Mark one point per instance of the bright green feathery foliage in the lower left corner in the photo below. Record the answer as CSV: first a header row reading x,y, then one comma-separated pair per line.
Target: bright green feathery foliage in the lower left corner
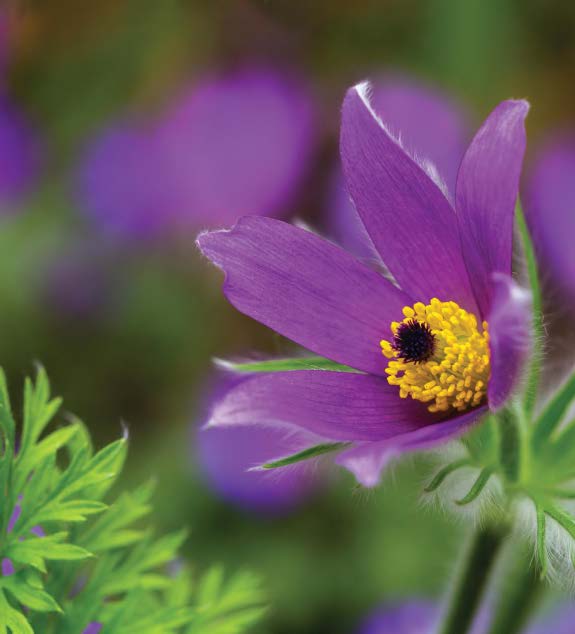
x,y
73,562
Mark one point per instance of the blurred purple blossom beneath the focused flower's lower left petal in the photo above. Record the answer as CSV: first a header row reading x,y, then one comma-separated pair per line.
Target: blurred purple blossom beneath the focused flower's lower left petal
x,y
225,457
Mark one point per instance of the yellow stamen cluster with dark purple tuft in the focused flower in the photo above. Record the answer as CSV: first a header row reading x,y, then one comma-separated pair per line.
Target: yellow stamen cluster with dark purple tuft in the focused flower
x,y
438,355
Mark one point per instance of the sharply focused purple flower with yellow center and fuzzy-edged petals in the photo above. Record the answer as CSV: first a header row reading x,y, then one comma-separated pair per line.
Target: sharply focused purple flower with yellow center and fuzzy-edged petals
x,y
434,349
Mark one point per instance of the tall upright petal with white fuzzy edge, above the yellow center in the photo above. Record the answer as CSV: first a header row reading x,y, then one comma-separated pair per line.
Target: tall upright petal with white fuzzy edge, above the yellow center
x,y
408,217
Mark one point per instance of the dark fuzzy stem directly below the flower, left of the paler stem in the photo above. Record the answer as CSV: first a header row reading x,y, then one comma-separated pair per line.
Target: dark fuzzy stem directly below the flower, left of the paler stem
x,y
471,580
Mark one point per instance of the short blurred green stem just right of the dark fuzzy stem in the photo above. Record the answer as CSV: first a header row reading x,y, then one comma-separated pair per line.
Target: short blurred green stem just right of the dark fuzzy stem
x,y
518,598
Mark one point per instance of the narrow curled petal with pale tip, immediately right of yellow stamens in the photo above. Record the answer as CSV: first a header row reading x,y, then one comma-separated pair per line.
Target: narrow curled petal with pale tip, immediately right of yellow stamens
x,y
509,338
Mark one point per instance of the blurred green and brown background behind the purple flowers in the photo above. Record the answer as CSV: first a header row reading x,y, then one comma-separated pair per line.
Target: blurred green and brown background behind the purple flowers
x,y
143,354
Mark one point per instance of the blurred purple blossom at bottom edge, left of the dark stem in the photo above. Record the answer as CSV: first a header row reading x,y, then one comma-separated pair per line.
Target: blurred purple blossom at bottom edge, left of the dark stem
x,y
413,617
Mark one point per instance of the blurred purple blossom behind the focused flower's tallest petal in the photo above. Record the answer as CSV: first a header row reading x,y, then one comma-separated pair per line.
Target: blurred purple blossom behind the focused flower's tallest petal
x,y
430,125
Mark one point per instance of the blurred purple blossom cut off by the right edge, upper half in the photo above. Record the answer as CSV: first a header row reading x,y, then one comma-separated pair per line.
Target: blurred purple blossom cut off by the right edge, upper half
x,y
550,202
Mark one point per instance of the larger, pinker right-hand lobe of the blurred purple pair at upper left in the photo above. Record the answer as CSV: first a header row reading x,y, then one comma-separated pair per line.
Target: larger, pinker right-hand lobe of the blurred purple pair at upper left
x,y
239,144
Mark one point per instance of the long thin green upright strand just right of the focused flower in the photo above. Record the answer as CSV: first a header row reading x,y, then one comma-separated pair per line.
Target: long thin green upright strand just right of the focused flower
x,y
533,275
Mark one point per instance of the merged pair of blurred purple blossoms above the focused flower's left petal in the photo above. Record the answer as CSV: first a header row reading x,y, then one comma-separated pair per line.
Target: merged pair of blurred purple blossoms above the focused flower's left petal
x,y
232,144
